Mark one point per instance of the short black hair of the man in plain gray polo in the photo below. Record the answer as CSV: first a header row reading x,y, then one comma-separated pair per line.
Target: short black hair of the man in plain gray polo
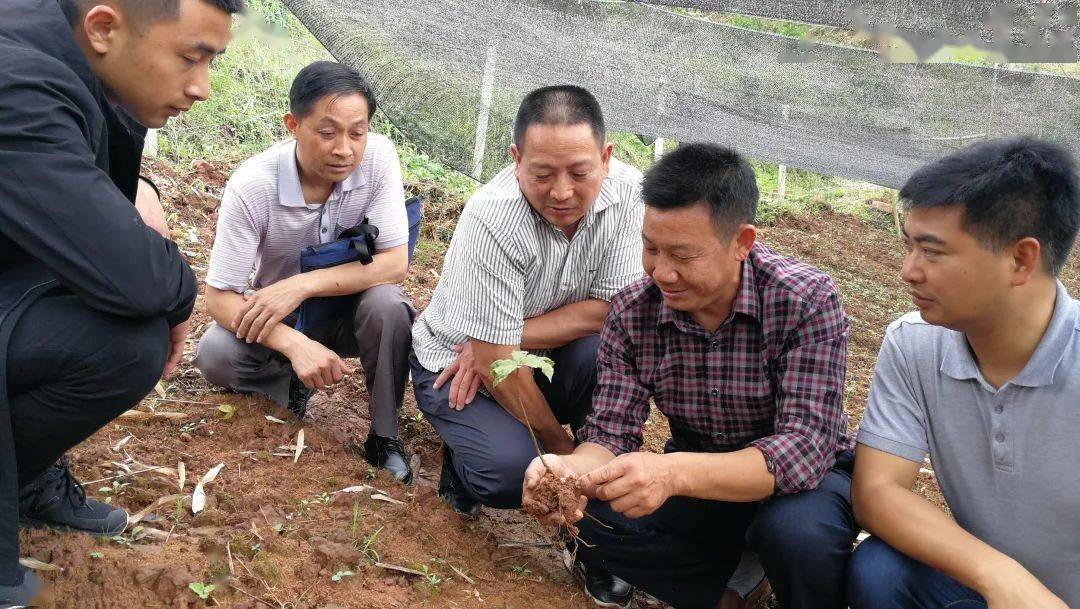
x,y
1009,190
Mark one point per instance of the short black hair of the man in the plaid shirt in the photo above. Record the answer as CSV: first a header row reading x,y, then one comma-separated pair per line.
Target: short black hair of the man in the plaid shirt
x,y
705,173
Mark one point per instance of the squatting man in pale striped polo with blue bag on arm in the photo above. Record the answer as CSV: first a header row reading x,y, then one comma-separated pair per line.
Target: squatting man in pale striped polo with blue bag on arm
x,y
307,192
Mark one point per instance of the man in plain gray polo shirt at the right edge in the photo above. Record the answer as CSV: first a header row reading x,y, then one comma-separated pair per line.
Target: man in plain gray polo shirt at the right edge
x,y
985,377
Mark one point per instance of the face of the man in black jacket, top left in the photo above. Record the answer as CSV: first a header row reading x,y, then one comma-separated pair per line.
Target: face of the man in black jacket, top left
x,y
158,71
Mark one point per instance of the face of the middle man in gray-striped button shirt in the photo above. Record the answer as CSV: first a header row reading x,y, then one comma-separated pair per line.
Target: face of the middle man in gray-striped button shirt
x,y
561,172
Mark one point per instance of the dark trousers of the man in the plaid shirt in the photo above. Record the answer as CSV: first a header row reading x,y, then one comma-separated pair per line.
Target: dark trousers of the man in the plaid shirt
x,y
685,553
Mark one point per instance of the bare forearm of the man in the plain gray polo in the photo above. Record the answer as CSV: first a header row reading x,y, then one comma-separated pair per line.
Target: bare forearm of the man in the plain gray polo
x,y
886,506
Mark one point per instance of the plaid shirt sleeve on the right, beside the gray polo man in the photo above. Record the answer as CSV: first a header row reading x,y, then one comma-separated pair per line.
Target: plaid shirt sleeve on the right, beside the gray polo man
x,y
809,419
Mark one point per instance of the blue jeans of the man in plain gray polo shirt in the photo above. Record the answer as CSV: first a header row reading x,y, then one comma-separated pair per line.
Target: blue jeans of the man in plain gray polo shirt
x,y
883,578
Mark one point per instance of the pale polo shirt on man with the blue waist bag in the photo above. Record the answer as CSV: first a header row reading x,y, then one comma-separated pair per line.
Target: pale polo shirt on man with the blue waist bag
x,y
265,222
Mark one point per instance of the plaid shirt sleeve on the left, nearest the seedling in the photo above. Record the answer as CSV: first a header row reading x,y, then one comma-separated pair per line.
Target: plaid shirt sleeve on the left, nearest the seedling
x,y
620,402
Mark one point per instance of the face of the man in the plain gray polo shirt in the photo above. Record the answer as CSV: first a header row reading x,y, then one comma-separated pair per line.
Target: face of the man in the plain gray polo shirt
x,y
954,280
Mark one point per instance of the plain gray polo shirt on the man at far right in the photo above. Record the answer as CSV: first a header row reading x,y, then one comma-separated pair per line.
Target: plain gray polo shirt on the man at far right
x,y
1008,459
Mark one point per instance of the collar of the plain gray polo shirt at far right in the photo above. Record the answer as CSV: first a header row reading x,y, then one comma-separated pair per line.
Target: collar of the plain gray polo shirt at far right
x,y
960,363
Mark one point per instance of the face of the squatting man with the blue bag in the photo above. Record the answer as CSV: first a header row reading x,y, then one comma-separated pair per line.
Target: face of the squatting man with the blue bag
x,y
331,139
